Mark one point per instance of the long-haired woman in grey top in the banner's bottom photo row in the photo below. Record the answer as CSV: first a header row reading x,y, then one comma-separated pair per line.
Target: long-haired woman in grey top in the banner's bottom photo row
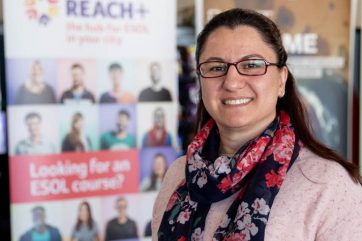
x,y
86,228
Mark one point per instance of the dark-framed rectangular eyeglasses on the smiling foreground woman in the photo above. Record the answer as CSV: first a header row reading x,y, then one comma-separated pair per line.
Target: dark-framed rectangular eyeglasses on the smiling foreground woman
x,y
249,67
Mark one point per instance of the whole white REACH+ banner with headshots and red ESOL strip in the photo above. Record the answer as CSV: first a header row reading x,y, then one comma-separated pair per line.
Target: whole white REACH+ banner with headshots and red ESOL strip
x,y
92,112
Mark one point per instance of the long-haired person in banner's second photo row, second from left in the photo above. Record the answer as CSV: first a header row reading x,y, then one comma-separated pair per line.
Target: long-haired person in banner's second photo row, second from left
x,y
76,140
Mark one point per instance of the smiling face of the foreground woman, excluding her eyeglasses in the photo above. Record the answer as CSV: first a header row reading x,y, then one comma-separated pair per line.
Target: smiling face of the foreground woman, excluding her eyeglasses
x,y
237,101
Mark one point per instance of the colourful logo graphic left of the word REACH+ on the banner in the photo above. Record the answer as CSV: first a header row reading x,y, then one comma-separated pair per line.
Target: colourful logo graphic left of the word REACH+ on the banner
x,y
41,11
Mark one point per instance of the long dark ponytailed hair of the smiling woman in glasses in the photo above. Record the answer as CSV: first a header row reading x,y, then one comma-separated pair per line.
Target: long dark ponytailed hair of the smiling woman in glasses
x,y
291,102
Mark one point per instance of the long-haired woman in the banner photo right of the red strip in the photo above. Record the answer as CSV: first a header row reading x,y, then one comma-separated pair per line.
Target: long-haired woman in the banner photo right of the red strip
x,y
159,167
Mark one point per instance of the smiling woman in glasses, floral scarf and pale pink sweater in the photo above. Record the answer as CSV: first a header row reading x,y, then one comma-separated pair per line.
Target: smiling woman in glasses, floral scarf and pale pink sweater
x,y
254,171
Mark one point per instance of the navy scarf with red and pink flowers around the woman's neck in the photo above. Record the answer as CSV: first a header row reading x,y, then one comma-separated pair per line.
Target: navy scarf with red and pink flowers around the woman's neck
x,y
257,170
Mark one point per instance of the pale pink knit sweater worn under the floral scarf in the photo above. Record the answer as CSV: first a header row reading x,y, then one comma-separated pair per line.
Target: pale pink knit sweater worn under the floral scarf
x,y
318,201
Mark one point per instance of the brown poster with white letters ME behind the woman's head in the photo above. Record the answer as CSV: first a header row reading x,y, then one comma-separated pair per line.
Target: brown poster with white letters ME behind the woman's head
x,y
318,59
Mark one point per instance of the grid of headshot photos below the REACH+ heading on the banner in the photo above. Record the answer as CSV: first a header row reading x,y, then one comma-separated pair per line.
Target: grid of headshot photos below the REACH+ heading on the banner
x,y
67,109
